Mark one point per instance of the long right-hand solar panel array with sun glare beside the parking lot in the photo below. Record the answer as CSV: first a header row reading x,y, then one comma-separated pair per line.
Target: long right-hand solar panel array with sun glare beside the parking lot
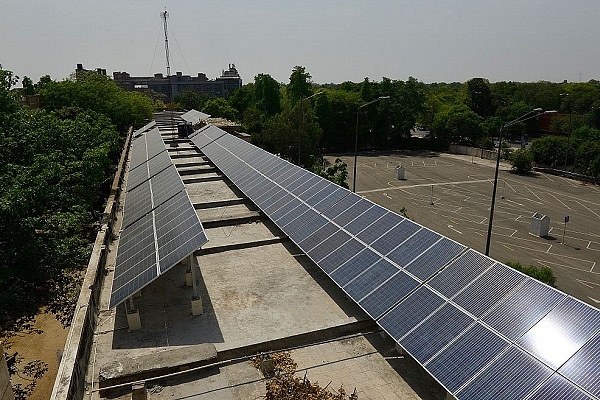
x,y
481,329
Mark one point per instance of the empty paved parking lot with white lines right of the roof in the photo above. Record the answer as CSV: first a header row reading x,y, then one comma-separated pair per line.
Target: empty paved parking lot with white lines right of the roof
x,y
451,194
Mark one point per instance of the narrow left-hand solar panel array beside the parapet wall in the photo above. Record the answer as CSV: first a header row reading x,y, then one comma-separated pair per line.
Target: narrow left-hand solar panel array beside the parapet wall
x,y
160,225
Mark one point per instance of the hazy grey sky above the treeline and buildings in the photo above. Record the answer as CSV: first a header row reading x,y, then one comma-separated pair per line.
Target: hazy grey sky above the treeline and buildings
x,y
336,40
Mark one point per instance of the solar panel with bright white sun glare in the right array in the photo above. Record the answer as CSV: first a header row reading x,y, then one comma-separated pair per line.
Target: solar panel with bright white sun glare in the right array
x,y
562,332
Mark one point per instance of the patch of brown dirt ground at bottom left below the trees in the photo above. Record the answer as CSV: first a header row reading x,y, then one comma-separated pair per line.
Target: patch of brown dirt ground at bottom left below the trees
x,y
42,347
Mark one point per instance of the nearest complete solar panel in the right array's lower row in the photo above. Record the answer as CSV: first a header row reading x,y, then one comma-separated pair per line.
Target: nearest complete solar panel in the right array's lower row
x,y
468,354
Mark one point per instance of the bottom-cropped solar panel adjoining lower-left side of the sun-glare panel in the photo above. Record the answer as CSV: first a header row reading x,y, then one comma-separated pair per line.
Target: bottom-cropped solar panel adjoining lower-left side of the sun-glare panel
x,y
509,377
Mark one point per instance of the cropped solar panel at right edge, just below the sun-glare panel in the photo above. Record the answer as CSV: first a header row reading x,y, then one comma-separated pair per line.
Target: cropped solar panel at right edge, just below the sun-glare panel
x,y
584,367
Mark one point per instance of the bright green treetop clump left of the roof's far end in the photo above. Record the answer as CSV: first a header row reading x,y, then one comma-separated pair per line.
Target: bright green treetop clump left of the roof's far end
x,y
99,93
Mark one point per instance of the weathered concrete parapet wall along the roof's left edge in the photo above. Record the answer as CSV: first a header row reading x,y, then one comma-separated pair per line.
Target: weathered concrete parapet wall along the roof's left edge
x,y
70,381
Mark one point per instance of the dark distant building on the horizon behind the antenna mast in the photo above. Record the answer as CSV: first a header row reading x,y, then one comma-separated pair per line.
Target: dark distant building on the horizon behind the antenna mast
x,y
222,86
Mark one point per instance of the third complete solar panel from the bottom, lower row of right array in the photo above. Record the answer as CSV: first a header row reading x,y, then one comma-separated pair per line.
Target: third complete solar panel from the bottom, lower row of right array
x,y
410,312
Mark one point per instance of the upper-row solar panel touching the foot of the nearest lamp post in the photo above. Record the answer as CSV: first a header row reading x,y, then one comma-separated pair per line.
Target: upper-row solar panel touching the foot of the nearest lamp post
x,y
459,273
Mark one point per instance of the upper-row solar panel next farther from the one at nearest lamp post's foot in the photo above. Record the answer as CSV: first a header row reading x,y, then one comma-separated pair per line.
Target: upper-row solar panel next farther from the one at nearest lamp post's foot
x,y
434,259
